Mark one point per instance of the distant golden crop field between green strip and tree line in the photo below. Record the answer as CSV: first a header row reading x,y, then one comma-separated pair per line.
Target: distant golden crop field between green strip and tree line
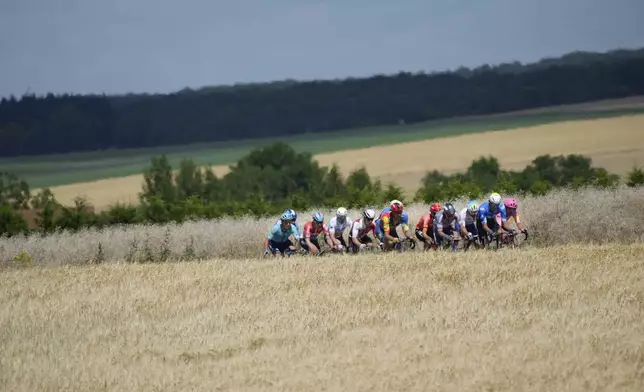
x,y
616,144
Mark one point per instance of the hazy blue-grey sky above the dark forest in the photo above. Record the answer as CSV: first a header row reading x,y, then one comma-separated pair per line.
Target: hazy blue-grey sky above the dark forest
x,y
119,46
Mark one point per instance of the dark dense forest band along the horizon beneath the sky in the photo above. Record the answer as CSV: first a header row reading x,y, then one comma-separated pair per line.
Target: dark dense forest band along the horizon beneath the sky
x,y
70,123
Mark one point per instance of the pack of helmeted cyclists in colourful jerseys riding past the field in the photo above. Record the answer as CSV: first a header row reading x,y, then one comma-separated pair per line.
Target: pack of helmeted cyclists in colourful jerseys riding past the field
x,y
441,226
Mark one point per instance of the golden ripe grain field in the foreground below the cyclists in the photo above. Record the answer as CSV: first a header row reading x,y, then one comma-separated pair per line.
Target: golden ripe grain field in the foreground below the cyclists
x,y
562,318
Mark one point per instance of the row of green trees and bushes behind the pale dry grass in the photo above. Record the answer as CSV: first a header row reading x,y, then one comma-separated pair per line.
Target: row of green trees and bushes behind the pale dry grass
x,y
270,179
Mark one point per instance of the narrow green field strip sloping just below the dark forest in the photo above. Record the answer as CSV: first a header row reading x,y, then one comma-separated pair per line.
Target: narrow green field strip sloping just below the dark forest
x,y
52,170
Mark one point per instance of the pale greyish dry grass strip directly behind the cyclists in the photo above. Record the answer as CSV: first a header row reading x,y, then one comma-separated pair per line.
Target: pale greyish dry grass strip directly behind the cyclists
x,y
562,217
